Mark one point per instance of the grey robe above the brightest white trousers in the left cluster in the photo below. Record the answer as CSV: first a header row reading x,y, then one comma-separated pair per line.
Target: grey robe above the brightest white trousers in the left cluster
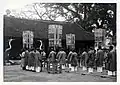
x,y
38,59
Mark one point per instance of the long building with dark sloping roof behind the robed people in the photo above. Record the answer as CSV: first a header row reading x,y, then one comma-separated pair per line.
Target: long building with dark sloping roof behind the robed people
x,y
43,30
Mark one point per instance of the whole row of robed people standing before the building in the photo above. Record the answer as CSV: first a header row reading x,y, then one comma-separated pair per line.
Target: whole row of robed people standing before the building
x,y
88,59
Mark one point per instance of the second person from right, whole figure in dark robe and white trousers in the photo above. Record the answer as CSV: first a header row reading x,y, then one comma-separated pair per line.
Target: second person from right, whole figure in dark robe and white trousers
x,y
99,59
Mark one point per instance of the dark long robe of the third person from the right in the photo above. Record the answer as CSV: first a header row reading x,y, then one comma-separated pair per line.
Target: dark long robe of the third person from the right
x,y
91,58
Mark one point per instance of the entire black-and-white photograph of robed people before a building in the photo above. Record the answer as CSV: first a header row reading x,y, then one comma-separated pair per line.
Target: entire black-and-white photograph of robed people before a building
x,y
59,42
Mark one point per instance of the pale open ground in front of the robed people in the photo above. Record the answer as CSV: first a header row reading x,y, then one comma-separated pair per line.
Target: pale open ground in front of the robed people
x,y
15,74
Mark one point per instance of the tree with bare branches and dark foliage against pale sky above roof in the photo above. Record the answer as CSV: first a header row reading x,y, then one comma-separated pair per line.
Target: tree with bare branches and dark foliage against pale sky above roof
x,y
86,15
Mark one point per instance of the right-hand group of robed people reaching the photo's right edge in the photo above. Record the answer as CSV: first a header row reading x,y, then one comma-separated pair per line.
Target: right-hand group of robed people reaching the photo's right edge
x,y
99,60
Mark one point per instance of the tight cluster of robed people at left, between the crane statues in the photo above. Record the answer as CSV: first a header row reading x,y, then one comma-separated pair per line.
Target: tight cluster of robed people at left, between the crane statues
x,y
32,59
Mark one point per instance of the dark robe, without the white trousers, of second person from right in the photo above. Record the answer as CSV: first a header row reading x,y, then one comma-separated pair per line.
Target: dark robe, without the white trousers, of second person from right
x,y
99,58
